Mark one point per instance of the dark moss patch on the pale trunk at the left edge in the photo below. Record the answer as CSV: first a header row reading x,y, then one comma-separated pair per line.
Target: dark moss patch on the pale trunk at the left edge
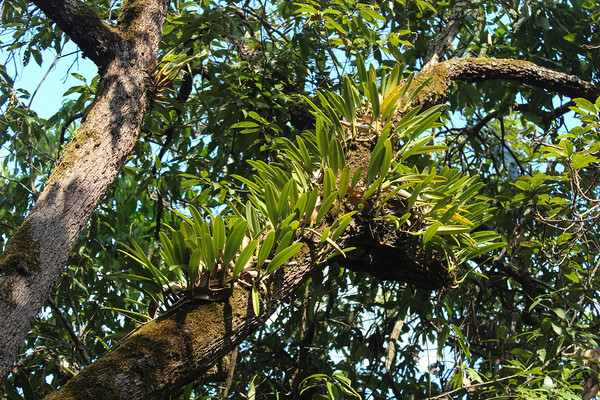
x,y
22,254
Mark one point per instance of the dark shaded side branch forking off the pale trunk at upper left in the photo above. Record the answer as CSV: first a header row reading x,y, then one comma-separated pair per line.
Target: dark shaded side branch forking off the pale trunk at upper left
x,y
83,25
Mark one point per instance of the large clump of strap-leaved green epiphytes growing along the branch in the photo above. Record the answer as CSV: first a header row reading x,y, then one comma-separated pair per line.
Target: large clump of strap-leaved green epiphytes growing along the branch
x,y
365,150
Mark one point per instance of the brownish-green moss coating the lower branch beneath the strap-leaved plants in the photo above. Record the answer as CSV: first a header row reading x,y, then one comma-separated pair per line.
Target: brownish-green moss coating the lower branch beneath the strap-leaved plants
x,y
178,337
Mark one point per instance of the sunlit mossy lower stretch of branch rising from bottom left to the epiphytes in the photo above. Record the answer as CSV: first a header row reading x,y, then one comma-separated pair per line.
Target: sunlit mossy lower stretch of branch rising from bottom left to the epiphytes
x,y
174,350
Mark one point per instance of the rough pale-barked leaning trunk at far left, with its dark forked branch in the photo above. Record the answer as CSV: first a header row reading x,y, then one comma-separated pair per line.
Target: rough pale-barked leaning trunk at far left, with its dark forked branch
x,y
126,56
